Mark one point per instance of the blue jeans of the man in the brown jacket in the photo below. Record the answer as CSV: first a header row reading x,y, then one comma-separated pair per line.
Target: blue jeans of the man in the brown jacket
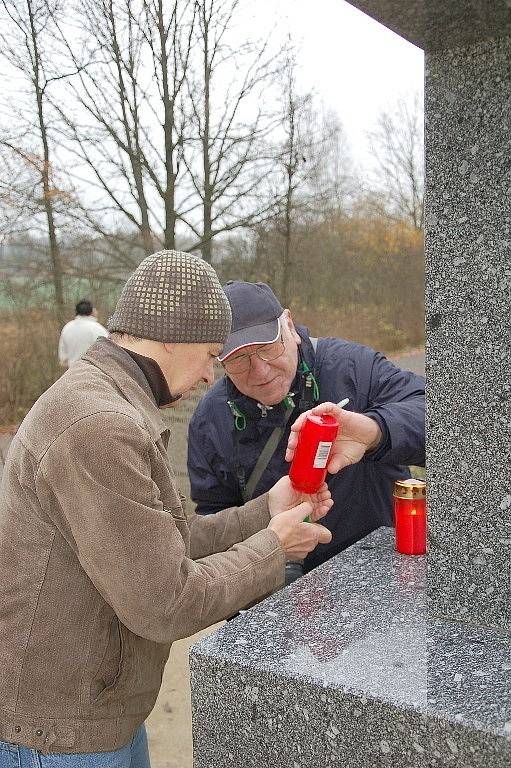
x,y
134,755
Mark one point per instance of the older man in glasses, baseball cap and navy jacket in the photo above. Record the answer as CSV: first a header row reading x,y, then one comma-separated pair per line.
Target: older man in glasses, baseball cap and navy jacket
x,y
274,372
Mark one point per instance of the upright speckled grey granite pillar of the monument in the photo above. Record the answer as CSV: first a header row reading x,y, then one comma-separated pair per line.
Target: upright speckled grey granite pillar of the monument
x,y
468,322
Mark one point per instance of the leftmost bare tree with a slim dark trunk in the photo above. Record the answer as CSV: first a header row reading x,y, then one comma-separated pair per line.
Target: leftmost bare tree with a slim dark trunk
x,y
25,45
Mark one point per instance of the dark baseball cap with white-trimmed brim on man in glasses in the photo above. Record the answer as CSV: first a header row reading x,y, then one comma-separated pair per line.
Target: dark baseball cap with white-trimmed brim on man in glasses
x,y
255,316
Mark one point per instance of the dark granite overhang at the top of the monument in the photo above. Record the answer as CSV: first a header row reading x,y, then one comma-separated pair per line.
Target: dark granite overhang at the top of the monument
x,y
441,23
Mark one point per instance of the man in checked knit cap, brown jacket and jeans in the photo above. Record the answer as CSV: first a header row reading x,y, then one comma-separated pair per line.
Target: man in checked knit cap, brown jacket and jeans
x,y
101,569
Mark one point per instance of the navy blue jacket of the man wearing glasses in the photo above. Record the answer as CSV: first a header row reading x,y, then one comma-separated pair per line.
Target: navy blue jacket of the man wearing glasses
x,y
362,492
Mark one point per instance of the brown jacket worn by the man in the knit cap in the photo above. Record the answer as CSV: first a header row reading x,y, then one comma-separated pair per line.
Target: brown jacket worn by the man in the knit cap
x,y
100,570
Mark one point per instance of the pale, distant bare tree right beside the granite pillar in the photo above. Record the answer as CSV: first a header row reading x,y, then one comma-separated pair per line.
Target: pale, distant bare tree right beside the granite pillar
x,y
397,144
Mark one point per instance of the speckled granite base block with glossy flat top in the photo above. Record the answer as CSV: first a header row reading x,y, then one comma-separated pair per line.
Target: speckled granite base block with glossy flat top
x,y
344,668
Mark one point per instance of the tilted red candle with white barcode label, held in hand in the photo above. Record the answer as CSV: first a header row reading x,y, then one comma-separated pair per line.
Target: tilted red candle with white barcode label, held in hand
x,y
315,440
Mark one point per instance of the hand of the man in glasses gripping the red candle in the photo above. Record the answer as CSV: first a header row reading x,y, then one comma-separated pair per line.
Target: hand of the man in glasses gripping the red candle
x,y
357,435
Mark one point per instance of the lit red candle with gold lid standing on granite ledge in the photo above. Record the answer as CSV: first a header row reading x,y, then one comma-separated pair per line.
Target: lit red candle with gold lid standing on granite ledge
x,y
410,516
